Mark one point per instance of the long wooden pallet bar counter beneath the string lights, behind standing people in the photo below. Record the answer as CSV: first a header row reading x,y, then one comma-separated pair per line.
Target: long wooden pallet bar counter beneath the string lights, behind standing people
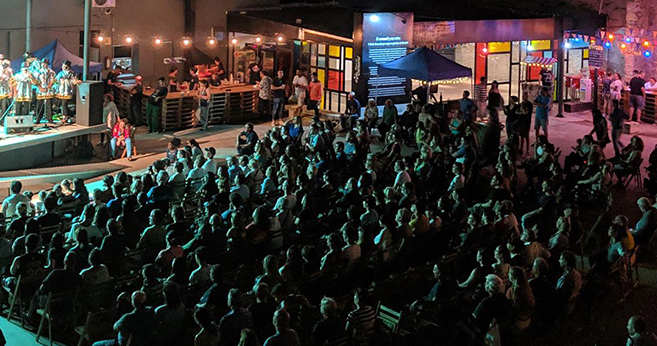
x,y
229,104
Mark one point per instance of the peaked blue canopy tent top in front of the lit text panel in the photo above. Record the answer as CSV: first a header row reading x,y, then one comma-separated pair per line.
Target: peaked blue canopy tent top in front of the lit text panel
x,y
425,65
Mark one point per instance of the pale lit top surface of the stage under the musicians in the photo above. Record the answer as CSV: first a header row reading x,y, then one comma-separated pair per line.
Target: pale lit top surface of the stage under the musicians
x,y
13,141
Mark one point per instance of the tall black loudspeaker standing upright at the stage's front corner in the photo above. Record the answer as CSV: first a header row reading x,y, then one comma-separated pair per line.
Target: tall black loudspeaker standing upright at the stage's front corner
x,y
89,104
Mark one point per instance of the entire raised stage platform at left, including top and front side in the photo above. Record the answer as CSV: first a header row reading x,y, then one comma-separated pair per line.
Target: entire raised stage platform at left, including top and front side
x,y
31,150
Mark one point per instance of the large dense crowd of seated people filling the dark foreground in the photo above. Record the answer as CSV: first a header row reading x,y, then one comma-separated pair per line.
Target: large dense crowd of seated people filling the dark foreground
x,y
303,239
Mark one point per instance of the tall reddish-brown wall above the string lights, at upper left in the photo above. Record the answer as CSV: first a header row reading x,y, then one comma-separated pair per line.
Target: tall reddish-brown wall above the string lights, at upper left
x,y
143,19
